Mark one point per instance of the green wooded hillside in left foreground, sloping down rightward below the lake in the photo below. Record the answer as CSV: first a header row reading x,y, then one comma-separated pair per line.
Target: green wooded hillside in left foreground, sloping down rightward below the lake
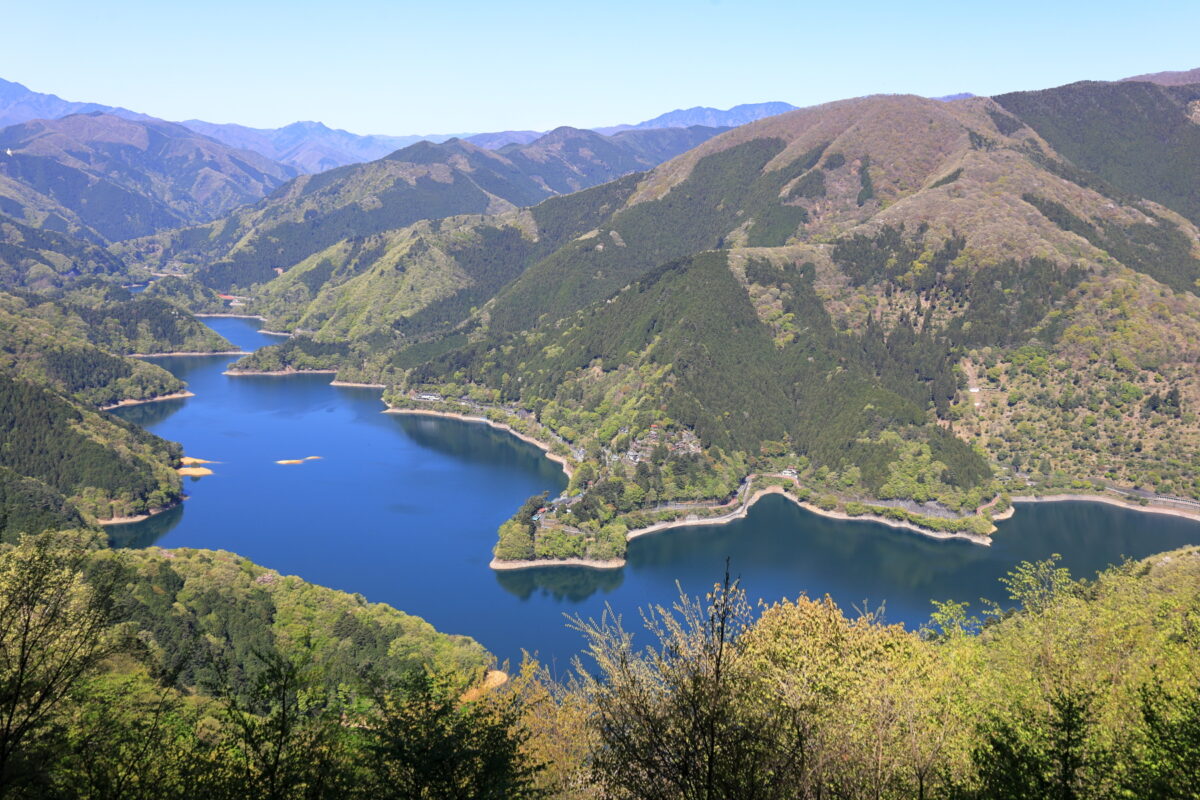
x,y
200,675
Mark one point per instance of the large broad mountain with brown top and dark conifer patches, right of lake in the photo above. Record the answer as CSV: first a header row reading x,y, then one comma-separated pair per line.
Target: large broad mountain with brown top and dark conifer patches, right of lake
x,y
875,262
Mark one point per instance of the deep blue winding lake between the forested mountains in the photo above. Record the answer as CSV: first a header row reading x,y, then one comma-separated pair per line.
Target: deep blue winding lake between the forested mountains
x,y
405,510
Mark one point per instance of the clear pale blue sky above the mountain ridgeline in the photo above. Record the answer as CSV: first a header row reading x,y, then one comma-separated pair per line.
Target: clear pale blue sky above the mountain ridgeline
x,y
377,67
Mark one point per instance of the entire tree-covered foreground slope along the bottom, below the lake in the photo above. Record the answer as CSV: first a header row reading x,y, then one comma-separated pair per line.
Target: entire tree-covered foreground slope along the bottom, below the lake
x,y
206,676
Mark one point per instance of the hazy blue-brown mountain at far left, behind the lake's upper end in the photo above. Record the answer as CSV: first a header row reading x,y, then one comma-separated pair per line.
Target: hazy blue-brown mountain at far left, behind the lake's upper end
x,y
106,178
